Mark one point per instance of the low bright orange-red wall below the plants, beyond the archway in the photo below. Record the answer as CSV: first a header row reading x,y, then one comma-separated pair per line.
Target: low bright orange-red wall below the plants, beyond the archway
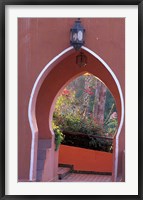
x,y
85,159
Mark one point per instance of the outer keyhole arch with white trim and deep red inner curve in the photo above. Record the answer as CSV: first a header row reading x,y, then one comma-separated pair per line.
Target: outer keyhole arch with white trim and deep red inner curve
x,y
50,81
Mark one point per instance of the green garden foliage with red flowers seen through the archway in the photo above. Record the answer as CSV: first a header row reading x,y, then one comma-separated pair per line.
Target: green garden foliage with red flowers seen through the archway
x,y
69,117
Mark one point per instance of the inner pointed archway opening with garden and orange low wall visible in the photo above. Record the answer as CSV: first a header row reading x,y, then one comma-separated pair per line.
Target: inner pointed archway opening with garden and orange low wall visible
x,y
85,122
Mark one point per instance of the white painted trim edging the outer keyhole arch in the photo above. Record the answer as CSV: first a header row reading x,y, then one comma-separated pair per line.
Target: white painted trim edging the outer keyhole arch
x,y
32,104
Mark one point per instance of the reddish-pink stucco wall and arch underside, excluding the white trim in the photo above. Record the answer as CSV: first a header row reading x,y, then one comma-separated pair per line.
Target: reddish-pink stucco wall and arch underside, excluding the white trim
x,y
40,40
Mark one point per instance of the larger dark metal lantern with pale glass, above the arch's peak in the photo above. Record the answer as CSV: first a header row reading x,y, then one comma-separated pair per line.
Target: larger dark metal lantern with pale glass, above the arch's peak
x,y
77,35
